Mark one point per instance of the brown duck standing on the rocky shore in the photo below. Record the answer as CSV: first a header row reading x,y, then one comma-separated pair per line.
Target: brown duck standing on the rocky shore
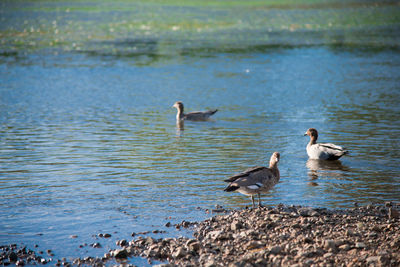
x,y
256,180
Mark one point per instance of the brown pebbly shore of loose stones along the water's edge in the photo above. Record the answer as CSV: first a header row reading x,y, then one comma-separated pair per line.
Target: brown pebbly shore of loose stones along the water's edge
x,y
280,236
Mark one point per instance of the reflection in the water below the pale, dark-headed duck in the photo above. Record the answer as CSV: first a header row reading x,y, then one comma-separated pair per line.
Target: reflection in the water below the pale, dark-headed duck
x,y
330,169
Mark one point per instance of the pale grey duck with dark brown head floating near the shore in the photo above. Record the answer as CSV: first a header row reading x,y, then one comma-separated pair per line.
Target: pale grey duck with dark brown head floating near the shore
x,y
322,151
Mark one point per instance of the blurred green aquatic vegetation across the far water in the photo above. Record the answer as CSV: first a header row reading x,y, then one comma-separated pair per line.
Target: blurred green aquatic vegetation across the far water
x,y
108,26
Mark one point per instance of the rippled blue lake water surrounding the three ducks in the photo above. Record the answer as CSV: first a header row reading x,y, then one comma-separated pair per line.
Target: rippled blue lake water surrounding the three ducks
x,y
89,143
